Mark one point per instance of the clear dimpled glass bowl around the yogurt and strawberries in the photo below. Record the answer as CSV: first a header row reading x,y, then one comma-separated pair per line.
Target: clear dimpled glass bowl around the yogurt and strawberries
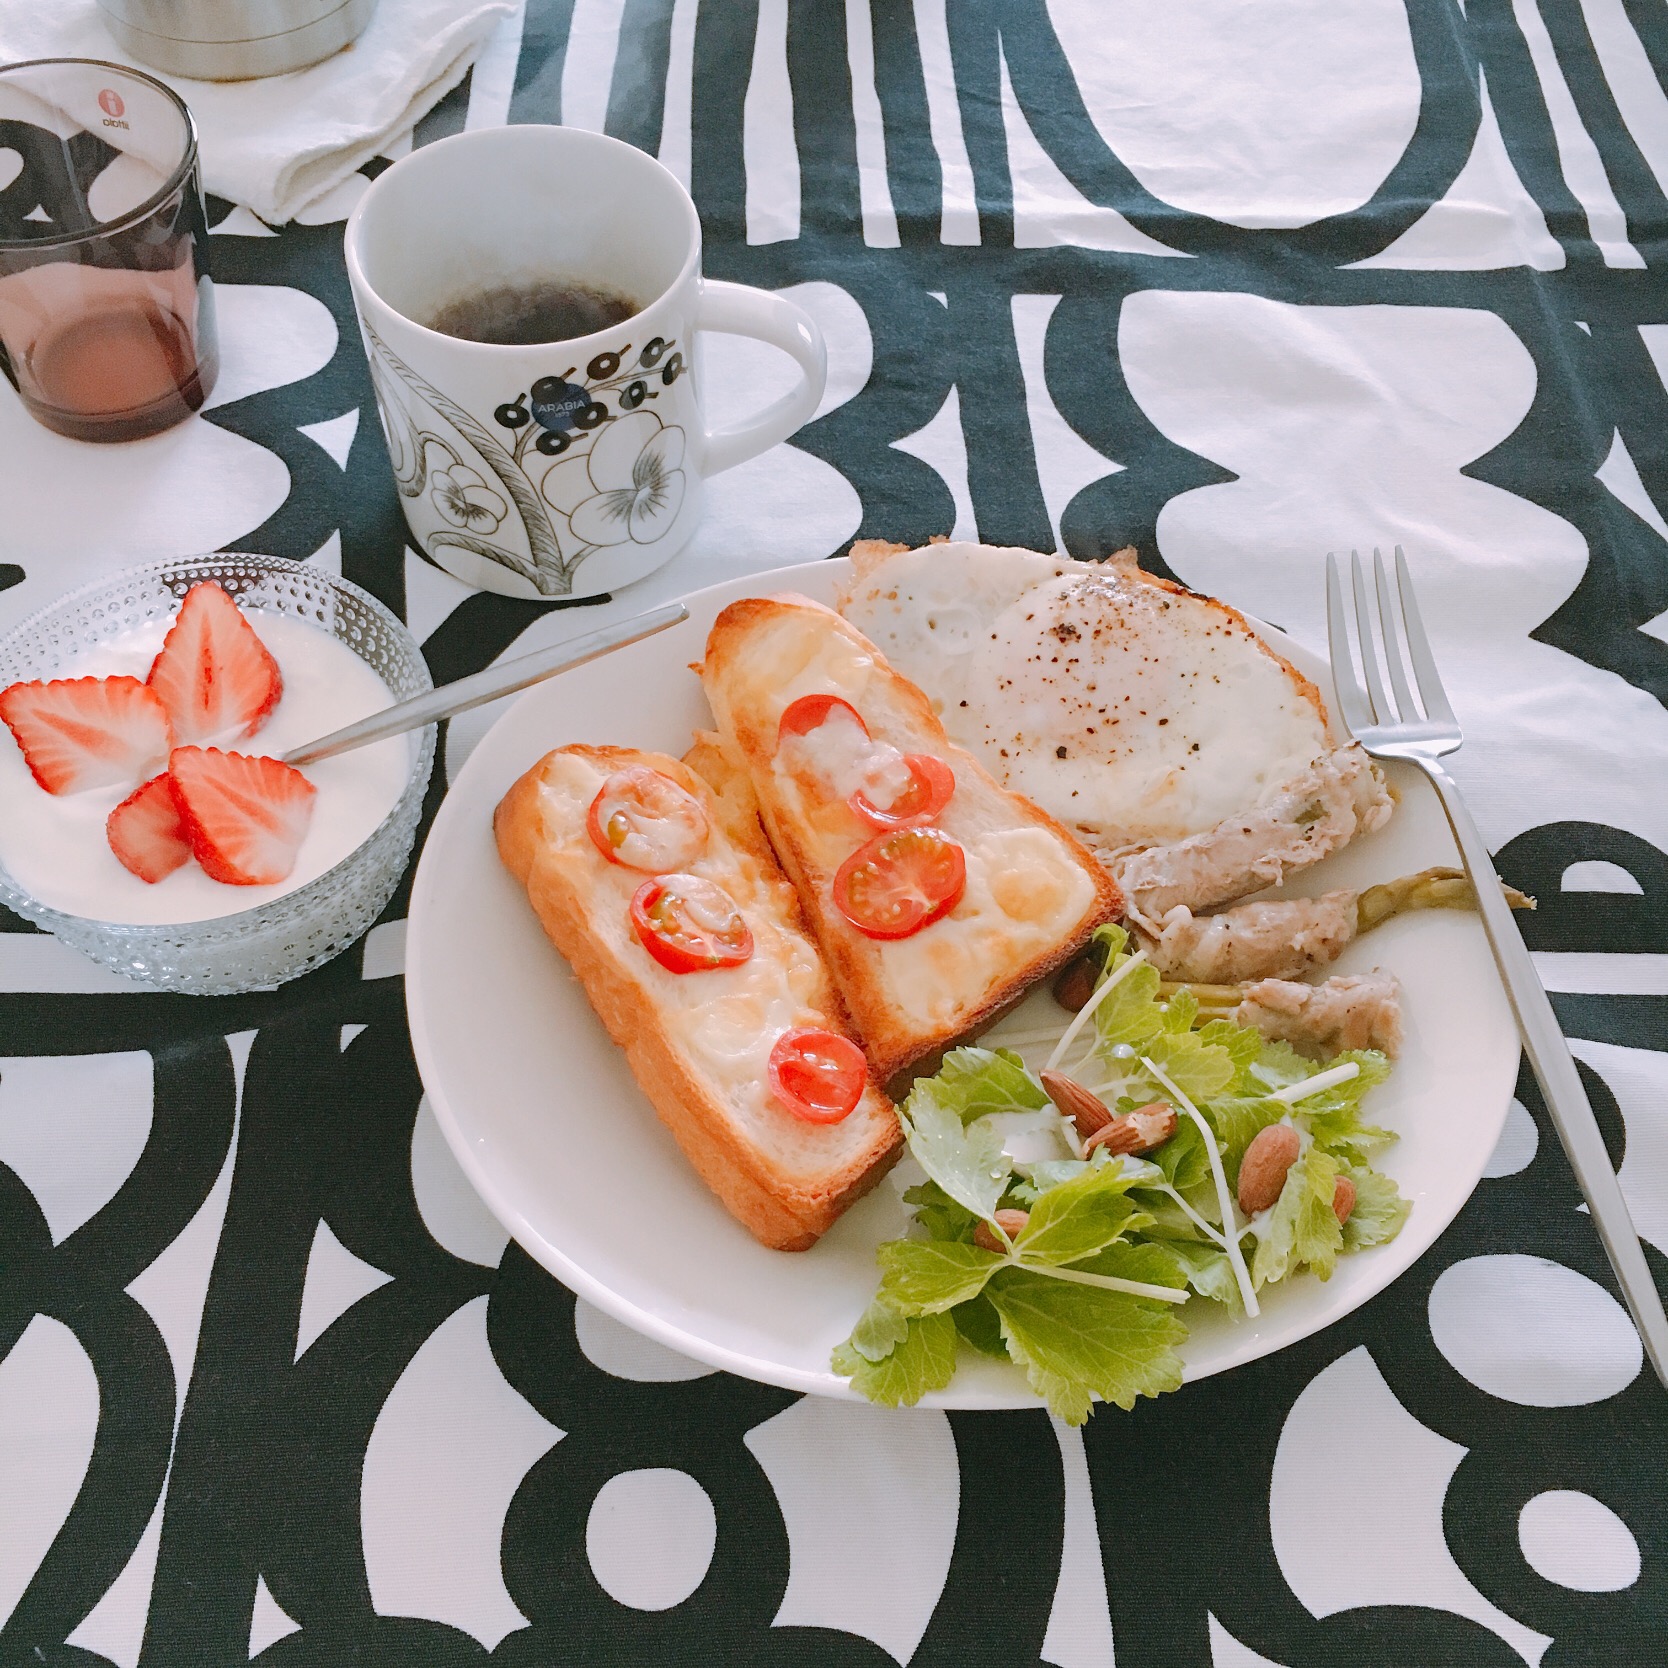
x,y
251,950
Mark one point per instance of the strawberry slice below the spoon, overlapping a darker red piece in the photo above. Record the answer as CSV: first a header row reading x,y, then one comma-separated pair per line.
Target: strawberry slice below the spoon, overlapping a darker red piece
x,y
244,815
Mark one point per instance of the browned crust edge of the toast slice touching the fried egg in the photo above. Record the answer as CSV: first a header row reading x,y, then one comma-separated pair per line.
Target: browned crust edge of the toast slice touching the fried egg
x,y
892,1038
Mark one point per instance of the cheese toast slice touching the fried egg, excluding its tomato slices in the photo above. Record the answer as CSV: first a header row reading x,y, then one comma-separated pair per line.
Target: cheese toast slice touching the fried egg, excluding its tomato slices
x,y
1033,893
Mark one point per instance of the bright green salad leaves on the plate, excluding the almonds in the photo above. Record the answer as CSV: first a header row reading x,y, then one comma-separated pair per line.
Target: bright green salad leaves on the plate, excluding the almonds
x,y
1060,1302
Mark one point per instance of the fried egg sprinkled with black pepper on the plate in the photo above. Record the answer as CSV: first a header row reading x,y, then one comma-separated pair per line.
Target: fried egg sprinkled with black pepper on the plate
x,y
1133,711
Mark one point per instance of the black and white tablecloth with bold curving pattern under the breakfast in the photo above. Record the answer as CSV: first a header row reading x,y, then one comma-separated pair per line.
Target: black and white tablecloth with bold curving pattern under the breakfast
x,y
1237,283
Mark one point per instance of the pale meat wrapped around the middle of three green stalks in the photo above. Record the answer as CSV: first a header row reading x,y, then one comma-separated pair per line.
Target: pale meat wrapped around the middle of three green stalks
x,y
1274,940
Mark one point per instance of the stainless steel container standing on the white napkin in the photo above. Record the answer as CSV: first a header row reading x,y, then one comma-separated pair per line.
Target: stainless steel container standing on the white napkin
x,y
234,41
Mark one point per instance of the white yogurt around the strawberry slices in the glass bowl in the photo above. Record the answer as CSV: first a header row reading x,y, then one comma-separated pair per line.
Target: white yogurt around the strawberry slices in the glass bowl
x,y
56,847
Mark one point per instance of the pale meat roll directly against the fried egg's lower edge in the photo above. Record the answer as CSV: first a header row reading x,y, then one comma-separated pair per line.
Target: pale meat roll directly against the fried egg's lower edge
x,y
1329,805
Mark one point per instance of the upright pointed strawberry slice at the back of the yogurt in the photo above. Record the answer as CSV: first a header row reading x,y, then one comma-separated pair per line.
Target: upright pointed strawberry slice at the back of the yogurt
x,y
214,675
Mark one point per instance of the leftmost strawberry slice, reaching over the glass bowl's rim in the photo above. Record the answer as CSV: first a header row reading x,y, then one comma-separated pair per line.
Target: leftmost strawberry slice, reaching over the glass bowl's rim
x,y
88,731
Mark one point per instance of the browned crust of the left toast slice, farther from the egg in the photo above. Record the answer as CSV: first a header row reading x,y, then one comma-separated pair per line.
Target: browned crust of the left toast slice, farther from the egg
x,y
781,1210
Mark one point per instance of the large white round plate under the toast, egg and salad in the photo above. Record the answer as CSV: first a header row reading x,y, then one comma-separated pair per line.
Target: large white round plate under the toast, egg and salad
x,y
553,1132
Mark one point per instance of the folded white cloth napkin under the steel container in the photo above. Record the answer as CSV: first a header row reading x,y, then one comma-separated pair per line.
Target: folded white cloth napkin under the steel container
x,y
283,143
